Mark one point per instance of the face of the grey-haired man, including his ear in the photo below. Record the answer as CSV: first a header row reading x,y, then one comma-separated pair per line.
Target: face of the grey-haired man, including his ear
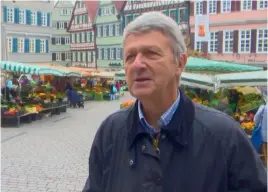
x,y
149,64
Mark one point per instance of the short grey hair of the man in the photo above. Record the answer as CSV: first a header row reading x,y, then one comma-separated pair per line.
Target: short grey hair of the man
x,y
150,21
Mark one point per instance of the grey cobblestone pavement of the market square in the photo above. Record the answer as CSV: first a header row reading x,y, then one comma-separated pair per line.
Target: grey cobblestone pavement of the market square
x,y
52,154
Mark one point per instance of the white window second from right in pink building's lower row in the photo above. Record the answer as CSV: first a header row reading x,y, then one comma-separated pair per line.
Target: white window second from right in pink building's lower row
x,y
244,41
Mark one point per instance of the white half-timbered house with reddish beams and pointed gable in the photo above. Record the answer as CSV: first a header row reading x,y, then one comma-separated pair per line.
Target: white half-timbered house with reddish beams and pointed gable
x,y
82,30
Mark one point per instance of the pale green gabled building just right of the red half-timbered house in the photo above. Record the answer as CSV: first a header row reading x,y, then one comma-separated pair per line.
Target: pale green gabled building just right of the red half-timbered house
x,y
109,35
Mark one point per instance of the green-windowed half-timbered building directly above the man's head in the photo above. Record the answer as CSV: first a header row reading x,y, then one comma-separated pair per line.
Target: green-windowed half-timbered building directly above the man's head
x,y
176,9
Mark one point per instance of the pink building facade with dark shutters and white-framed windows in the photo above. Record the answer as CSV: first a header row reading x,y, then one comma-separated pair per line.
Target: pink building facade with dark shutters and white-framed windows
x,y
238,30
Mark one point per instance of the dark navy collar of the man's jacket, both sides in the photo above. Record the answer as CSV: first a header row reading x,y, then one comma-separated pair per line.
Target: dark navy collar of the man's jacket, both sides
x,y
180,125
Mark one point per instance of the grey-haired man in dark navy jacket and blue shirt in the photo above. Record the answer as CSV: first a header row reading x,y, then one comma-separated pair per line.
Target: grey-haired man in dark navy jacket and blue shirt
x,y
165,142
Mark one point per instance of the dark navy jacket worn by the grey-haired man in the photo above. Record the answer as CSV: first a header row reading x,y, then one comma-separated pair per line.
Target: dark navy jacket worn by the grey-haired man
x,y
202,150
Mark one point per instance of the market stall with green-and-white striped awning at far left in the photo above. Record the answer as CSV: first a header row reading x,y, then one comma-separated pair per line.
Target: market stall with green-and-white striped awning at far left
x,y
24,98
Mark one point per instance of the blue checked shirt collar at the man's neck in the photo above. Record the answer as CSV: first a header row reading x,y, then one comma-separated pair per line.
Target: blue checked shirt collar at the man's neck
x,y
163,121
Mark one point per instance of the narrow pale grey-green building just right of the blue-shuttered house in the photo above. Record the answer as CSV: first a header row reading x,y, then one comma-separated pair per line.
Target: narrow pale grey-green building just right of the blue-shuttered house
x,y
60,42
